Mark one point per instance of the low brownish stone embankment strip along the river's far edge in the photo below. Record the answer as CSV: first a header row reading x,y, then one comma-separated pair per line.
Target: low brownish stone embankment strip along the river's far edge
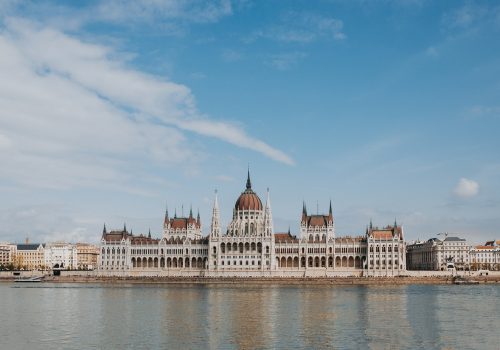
x,y
261,280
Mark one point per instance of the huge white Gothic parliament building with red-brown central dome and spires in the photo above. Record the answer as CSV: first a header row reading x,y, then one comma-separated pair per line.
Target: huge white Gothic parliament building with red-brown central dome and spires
x,y
249,247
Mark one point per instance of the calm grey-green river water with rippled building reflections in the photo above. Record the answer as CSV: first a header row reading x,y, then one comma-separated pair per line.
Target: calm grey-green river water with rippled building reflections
x,y
248,316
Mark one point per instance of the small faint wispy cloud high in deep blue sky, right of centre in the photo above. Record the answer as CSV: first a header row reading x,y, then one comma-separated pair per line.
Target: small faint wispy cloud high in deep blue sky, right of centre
x,y
296,27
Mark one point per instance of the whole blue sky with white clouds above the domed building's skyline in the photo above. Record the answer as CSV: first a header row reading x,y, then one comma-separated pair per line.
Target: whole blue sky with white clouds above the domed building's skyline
x,y
112,110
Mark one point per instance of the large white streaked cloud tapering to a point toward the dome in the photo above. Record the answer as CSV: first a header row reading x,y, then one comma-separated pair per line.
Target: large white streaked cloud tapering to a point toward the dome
x,y
74,113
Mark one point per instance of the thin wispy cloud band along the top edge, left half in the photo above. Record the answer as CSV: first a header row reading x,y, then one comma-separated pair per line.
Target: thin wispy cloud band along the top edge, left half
x,y
171,16
